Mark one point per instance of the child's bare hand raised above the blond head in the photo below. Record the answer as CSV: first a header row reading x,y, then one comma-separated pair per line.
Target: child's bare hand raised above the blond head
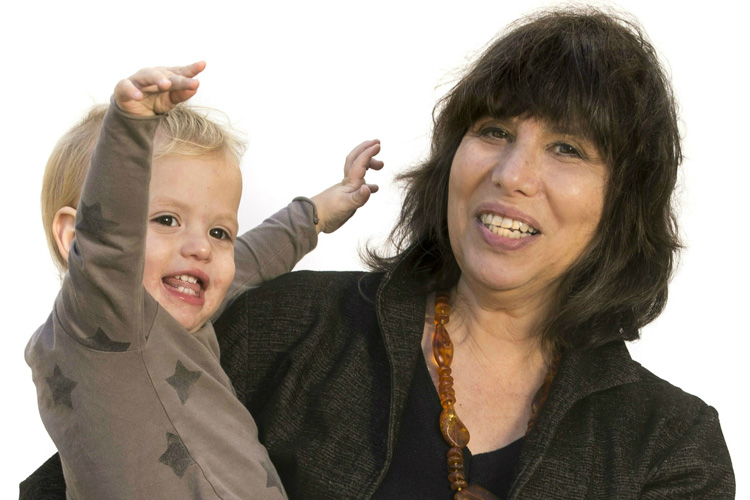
x,y
153,91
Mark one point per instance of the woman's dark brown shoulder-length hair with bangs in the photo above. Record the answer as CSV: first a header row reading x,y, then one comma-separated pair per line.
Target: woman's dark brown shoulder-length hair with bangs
x,y
592,73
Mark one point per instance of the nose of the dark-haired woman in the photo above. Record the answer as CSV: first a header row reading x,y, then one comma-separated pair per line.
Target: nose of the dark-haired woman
x,y
516,169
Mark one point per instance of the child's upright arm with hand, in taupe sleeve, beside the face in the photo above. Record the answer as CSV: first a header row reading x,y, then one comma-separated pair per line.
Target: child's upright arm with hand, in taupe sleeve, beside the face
x,y
113,209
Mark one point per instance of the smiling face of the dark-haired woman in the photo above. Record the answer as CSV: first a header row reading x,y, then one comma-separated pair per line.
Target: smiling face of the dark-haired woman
x,y
524,201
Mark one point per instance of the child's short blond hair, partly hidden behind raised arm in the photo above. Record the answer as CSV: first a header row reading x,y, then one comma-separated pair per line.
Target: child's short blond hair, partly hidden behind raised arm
x,y
185,131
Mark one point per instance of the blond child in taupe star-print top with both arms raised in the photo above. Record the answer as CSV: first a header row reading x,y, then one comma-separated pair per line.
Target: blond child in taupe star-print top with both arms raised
x,y
127,366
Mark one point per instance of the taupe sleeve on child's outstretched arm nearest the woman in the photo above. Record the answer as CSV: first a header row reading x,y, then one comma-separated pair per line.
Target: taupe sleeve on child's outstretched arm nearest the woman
x,y
273,248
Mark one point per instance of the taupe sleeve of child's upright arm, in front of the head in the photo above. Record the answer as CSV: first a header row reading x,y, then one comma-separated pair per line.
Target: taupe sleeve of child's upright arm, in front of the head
x,y
102,302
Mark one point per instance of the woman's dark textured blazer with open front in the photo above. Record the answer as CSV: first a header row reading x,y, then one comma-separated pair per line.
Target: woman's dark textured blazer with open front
x,y
324,362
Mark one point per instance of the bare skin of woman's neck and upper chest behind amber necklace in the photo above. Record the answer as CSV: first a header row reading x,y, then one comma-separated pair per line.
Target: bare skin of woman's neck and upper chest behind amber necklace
x,y
498,365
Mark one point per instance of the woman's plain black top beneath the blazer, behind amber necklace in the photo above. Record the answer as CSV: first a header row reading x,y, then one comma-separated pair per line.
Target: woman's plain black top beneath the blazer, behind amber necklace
x,y
418,468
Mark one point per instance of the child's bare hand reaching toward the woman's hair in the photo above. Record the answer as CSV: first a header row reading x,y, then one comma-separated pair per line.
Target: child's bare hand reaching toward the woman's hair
x,y
339,202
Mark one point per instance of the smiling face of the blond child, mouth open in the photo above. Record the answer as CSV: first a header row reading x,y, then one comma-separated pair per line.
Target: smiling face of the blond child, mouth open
x,y
192,226
